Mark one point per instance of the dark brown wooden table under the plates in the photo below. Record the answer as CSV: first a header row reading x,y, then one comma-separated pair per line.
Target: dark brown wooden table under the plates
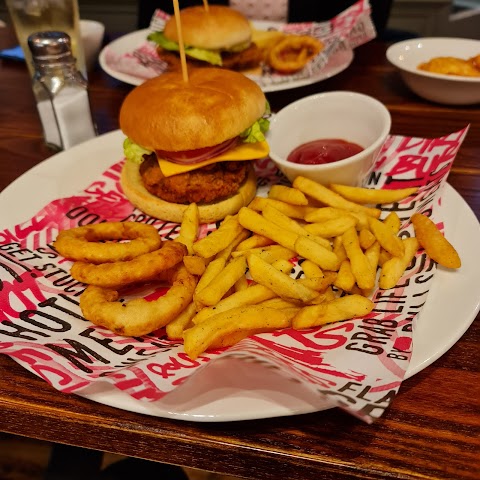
x,y
432,429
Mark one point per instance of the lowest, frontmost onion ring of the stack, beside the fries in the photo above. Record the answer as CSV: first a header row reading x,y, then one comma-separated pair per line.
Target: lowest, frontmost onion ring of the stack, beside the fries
x,y
138,317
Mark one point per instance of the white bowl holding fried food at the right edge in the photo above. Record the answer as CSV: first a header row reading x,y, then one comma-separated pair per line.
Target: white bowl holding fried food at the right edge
x,y
446,89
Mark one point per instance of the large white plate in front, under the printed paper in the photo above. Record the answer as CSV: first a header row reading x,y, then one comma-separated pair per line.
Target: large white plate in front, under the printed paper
x,y
452,304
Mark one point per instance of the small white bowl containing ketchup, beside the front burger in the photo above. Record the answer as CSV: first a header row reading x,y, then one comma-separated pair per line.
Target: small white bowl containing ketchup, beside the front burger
x,y
349,116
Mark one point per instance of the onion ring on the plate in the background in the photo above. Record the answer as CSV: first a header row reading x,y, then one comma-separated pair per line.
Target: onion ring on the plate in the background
x,y
293,52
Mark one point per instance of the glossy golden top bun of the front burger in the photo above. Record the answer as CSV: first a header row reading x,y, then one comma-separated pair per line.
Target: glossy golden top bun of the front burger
x,y
167,113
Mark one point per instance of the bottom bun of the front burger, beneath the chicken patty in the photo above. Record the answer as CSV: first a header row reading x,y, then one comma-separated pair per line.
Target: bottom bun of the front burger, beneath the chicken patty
x,y
136,192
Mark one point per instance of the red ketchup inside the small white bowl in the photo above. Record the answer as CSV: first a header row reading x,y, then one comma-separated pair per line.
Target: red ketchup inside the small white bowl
x,y
325,150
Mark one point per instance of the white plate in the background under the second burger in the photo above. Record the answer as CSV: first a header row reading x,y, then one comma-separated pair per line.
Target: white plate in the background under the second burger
x,y
127,43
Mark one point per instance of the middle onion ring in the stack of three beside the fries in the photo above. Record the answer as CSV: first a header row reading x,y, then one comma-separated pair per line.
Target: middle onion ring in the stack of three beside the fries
x,y
140,269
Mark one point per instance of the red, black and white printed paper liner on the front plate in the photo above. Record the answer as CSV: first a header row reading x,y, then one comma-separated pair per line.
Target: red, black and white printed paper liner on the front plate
x,y
357,365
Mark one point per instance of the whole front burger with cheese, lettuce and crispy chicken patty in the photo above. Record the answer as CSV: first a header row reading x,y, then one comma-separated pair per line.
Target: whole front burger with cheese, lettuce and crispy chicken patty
x,y
193,142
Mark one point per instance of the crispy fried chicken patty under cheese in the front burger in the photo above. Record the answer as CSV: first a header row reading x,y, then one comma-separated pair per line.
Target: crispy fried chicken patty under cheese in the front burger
x,y
205,185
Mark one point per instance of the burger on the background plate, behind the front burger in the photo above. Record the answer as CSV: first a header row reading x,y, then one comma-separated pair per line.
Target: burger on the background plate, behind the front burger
x,y
220,37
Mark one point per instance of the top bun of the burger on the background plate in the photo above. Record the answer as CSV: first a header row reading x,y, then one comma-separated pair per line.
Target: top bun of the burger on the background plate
x,y
219,28
